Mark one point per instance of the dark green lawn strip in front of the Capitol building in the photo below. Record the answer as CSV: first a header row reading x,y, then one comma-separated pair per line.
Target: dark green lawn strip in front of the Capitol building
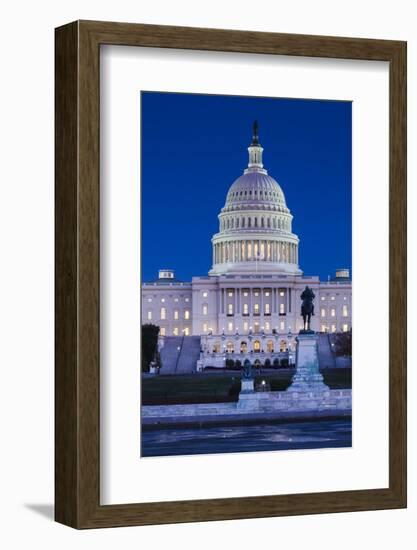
x,y
222,387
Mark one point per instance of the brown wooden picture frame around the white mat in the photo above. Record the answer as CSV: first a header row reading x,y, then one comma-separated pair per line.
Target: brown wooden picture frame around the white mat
x,y
77,335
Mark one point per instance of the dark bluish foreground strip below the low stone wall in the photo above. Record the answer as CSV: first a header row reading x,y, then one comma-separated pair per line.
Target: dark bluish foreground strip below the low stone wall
x,y
313,434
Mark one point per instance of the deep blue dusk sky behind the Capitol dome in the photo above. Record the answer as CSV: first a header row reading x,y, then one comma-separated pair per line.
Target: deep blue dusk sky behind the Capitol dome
x,y
195,146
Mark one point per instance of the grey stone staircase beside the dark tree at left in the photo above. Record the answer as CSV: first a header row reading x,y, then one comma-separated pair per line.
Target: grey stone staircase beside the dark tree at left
x,y
179,354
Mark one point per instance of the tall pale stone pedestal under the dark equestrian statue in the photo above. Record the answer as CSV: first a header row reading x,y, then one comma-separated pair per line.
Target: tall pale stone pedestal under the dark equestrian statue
x,y
307,376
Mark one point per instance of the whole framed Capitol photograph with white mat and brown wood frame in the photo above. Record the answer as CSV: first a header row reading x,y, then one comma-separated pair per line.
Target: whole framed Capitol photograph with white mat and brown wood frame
x,y
230,274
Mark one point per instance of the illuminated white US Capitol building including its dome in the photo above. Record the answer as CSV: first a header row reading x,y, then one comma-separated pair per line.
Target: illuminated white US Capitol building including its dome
x,y
249,303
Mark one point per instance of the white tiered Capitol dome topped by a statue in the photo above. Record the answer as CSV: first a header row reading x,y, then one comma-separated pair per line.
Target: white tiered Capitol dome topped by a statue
x,y
255,224
